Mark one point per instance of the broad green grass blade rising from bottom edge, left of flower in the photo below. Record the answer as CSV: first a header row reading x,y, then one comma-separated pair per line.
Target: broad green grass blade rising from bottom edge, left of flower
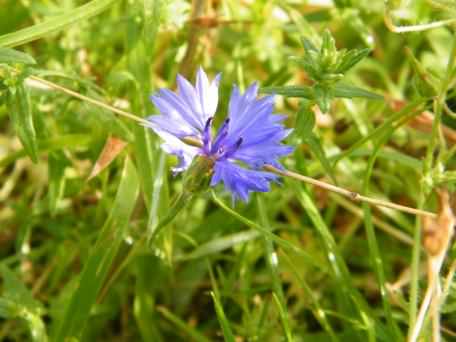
x,y
101,257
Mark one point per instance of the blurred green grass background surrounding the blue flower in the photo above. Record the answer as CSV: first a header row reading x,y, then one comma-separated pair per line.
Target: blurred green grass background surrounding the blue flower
x,y
71,259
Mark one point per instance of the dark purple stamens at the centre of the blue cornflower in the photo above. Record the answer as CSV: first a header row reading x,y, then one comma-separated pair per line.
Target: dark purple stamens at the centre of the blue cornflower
x,y
219,148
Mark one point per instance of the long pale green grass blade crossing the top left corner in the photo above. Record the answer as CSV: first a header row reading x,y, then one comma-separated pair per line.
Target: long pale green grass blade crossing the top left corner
x,y
57,23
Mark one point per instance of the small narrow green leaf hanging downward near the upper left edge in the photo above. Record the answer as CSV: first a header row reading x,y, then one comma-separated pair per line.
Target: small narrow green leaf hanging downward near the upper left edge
x,y
22,118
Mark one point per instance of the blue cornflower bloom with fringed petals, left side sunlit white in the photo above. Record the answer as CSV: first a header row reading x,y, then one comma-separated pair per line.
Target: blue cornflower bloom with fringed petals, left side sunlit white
x,y
249,138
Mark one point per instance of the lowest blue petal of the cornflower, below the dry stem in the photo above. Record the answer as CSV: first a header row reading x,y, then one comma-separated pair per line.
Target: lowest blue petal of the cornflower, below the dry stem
x,y
240,181
